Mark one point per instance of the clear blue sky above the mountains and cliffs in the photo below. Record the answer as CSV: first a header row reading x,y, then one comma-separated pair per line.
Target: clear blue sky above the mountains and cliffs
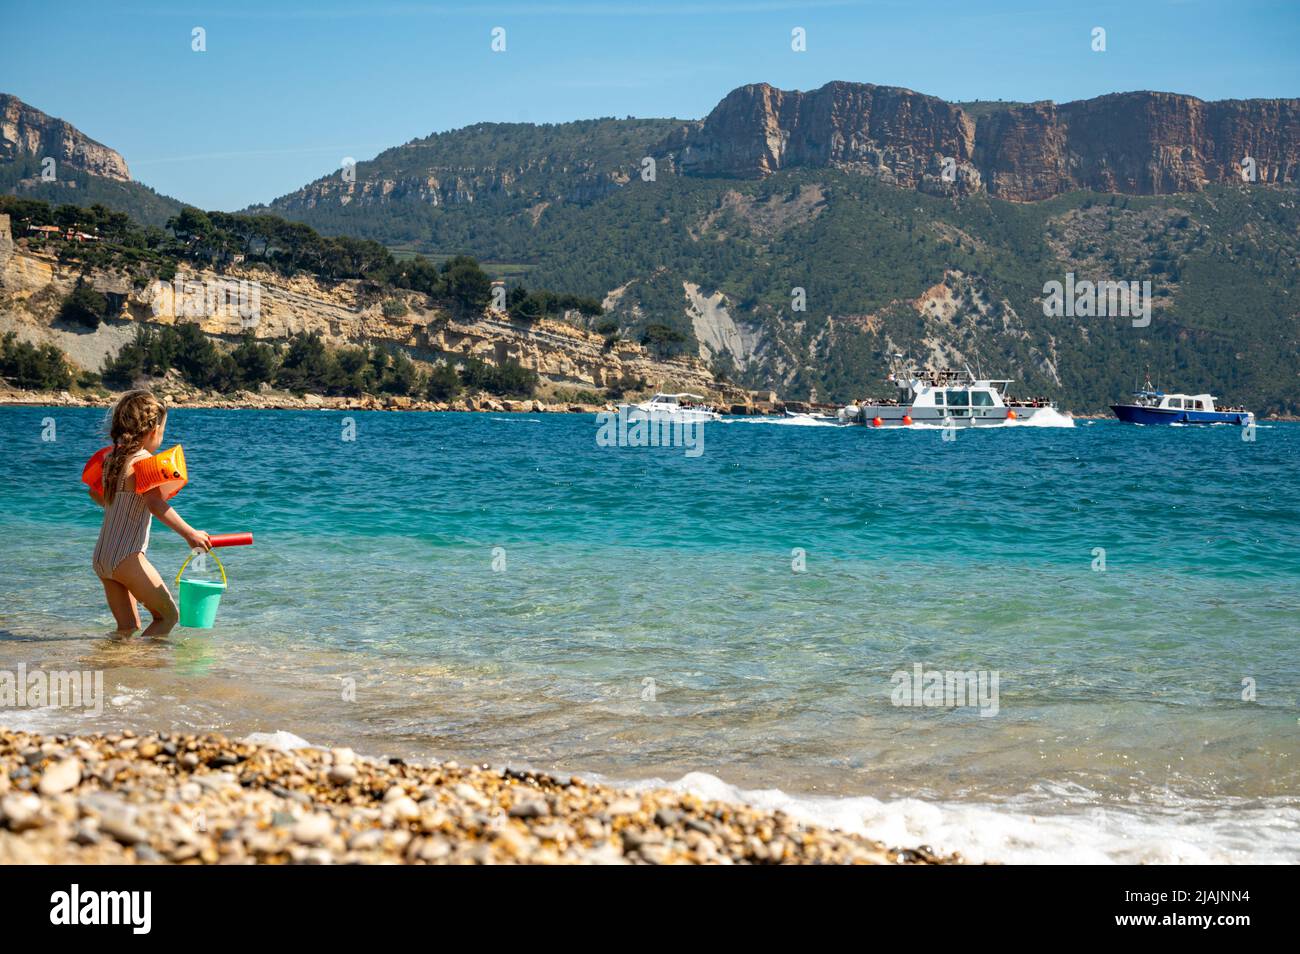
x,y
287,89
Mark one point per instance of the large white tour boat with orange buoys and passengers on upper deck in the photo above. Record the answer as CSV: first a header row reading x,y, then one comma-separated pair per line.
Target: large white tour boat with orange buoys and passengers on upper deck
x,y
944,397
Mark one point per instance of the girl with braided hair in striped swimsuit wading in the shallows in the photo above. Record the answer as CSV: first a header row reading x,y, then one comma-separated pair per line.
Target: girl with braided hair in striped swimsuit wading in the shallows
x,y
137,431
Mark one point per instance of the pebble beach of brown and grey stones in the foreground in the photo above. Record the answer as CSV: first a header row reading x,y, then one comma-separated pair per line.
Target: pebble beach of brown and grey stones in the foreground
x,y
128,799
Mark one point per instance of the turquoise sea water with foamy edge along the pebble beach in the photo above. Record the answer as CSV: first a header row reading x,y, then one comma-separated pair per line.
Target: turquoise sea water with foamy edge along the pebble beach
x,y
1121,732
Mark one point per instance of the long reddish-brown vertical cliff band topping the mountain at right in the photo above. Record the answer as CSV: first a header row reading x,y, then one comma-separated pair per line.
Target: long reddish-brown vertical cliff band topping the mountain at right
x,y
1141,144
